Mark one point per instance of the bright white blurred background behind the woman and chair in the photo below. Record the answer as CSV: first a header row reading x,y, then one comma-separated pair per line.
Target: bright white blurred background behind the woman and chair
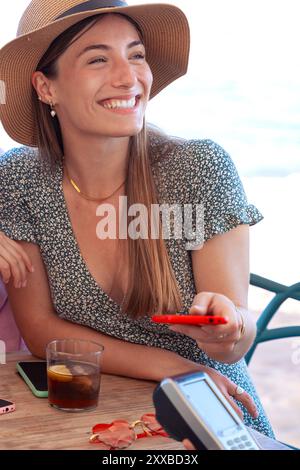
x,y
243,91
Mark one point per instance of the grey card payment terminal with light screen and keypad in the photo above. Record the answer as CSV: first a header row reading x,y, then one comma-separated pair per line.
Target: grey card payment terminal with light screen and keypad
x,y
191,406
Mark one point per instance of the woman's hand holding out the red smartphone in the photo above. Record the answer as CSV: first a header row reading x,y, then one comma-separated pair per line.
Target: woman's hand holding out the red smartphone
x,y
218,338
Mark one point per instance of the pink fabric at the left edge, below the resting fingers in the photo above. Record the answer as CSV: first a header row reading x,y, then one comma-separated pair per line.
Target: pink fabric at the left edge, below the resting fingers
x,y
9,332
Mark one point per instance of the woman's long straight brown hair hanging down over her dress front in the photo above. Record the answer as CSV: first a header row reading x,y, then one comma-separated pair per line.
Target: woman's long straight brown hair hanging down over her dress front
x,y
152,285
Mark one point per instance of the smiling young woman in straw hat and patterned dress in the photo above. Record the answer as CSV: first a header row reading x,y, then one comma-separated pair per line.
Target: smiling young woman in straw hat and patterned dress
x,y
78,92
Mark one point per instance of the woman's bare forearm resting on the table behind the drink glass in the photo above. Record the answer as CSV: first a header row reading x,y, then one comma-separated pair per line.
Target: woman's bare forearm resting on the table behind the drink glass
x,y
39,324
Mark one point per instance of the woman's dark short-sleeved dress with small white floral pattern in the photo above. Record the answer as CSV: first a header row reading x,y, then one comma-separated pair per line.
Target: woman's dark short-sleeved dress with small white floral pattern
x,y
33,208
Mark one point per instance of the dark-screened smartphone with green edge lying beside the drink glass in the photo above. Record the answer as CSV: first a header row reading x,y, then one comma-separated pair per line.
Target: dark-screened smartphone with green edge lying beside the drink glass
x,y
34,374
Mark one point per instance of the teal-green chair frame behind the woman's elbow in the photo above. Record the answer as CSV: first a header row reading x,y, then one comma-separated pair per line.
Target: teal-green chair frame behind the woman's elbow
x,y
282,293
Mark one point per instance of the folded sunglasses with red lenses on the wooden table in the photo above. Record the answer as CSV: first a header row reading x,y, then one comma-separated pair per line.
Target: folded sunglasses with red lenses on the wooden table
x,y
120,434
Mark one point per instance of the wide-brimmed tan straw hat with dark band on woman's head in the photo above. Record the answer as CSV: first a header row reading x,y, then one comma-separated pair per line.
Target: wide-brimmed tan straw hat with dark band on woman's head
x,y
165,34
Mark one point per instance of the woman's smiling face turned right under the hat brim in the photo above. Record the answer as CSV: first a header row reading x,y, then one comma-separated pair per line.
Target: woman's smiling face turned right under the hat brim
x,y
103,82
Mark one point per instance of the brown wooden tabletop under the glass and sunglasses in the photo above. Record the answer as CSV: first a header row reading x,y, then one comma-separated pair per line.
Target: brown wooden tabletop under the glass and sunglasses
x,y
36,425
